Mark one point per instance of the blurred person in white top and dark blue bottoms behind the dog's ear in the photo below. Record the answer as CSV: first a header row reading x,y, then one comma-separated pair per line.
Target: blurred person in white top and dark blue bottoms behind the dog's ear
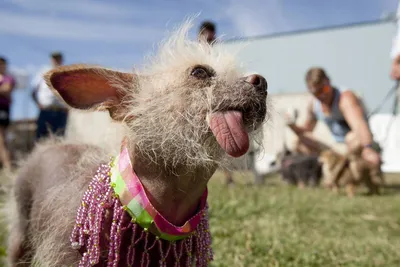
x,y
53,114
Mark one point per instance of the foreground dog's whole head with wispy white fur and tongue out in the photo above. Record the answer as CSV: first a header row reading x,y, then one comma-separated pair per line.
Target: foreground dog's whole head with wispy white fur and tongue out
x,y
191,104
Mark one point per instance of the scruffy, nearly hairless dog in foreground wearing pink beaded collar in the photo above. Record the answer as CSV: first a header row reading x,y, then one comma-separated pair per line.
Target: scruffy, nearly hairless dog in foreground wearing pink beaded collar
x,y
187,112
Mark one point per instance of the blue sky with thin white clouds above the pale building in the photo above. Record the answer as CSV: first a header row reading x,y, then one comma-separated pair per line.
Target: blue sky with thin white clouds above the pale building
x,y
120,33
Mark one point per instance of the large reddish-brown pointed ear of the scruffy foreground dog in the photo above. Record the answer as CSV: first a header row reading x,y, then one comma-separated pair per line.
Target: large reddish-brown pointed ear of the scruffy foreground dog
x,y
88,87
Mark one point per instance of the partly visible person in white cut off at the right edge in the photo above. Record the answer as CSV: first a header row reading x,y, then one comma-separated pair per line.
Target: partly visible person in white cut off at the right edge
x,y
395,57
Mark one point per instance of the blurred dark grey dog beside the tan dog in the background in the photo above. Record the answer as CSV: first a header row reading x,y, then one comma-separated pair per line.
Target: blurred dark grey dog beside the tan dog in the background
x,y
300,170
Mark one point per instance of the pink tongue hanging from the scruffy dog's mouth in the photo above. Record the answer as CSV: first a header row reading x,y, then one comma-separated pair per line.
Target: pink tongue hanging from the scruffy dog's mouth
x,y
228,128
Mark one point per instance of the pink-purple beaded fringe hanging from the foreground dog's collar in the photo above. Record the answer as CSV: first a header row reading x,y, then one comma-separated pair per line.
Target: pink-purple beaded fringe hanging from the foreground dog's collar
x,y
99,200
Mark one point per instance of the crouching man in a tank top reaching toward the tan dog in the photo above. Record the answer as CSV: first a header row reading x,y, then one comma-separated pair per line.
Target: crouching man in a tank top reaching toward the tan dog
x,y
343,113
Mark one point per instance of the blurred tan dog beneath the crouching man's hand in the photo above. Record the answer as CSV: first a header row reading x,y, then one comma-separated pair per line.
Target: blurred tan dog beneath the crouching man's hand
x,y
349,170
